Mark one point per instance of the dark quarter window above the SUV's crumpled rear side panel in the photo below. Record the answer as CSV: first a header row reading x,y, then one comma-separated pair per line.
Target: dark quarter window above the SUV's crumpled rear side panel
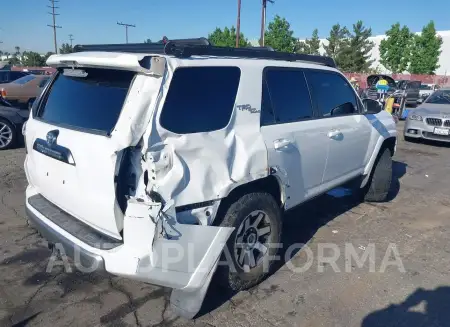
x,y
200,99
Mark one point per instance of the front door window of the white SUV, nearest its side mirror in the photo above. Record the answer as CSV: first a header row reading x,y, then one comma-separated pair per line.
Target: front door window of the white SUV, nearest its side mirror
x,y
332,93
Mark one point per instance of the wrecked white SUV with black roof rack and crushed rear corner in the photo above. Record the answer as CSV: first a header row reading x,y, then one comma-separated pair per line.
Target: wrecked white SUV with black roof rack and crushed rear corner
x,y
145,160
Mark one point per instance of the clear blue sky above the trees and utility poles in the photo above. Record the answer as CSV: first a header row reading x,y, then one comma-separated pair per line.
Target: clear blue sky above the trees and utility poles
x,y
95,21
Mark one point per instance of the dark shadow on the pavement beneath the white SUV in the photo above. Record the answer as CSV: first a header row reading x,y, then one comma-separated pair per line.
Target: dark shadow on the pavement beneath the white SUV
x,y
299,227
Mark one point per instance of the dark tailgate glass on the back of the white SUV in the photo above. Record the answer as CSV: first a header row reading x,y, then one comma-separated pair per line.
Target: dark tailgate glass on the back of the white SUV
x,y
92,100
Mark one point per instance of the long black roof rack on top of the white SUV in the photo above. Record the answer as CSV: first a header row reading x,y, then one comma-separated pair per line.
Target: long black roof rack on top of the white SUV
x,y
185,48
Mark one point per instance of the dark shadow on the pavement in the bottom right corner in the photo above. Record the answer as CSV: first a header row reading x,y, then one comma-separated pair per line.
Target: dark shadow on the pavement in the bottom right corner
x,y
436,311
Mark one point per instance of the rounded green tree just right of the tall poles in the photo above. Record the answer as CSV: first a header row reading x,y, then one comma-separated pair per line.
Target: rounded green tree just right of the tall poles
x,y
280,36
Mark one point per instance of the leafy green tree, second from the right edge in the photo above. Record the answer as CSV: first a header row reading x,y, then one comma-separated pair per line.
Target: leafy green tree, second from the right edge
x,y
395,50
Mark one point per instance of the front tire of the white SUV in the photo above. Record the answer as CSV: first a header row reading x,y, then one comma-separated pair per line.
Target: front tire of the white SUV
x,y
379,184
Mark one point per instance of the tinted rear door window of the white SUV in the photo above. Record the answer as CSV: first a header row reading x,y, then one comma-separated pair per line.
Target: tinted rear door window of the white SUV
x,y
289,96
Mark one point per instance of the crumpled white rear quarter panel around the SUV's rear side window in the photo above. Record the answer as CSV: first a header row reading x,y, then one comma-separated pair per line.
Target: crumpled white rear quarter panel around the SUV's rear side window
x,y
207,166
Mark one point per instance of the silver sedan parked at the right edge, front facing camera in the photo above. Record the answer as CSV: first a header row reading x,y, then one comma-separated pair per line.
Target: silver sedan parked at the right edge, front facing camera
x,y
431,120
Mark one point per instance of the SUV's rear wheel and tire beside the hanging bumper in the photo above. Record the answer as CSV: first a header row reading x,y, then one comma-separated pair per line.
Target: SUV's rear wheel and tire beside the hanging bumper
x,y
239,272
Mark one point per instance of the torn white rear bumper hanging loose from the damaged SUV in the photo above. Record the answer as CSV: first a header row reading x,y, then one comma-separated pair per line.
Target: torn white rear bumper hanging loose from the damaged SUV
x,y
143,255
